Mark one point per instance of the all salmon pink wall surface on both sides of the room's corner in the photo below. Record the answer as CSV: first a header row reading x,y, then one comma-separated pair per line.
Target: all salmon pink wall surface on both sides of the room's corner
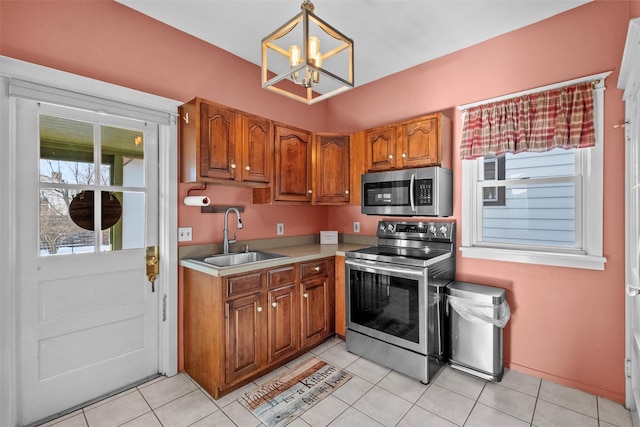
x,y
567,324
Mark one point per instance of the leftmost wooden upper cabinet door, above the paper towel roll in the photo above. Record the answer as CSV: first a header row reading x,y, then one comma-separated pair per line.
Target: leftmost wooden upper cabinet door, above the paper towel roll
x,y
217,134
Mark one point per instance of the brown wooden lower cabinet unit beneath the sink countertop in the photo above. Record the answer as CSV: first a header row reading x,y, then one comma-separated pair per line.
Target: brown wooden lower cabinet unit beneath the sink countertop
x,y
238,328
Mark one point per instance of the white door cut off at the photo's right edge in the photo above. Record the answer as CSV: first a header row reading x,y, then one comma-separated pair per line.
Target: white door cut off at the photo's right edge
x,y
630,82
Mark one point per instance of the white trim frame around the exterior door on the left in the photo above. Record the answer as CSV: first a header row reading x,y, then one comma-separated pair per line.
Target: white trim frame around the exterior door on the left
x,y
167,281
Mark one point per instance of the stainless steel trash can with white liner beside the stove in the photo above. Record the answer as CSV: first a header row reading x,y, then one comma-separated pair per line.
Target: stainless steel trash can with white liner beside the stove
x,y
475,341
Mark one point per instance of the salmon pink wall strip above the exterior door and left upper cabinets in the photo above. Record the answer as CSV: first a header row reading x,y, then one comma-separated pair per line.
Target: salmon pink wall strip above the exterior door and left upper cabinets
x,y
107,41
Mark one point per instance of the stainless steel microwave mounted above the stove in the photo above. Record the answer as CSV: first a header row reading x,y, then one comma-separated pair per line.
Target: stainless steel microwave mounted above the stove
x,y
408,192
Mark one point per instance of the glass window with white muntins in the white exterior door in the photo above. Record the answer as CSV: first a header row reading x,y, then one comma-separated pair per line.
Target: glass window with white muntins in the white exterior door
x,y
70,176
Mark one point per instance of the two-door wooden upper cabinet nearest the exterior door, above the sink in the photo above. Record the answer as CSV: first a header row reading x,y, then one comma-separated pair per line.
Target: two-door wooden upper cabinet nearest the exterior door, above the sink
x,y
222,145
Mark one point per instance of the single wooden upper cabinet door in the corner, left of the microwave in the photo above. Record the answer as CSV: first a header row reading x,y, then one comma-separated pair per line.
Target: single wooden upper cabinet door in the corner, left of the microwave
x,y
332,169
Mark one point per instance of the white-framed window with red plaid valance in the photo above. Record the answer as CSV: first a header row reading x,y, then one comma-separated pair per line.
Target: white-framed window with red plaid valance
x,y
532,176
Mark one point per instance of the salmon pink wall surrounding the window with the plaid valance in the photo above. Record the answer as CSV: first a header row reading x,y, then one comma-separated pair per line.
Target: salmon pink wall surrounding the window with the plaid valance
x,y
567,324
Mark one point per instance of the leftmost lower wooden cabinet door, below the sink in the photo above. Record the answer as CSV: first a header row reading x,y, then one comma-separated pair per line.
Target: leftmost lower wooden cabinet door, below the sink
x,y
244,348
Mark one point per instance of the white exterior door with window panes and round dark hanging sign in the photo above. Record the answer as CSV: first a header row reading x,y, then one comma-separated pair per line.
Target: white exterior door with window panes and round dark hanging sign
x,y
88,209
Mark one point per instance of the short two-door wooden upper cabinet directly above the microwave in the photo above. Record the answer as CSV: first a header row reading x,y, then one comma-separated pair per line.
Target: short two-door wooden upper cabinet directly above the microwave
x,y
419,142
